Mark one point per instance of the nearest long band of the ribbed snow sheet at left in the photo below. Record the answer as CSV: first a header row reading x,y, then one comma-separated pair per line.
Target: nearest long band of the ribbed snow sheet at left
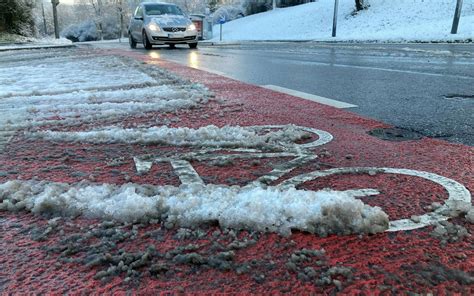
x,y
83,106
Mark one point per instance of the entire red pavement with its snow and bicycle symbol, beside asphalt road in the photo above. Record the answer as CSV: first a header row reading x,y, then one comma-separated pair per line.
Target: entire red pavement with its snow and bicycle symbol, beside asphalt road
x,y
124,173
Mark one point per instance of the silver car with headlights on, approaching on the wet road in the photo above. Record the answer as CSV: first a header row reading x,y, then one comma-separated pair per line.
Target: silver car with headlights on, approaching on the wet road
x,y
157,23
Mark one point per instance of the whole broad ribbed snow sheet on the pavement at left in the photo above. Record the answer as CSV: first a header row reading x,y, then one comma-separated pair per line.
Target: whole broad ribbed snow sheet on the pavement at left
x,y
67,88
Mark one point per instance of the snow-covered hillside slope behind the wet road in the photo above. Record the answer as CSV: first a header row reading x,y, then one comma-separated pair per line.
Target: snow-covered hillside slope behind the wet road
x,y
385,20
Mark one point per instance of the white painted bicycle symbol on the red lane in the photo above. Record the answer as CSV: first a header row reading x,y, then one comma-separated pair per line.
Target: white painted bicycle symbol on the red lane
x,y
458,195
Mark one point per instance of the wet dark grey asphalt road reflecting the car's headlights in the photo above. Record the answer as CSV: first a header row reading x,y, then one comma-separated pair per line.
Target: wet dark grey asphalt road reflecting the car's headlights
x,y
426,88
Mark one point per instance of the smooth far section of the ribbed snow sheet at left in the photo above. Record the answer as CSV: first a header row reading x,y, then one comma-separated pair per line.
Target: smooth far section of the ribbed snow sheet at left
x,y
71,74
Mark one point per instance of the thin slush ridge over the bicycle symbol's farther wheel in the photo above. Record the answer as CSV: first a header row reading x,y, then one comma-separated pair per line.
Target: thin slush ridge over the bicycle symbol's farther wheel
x,y
207,136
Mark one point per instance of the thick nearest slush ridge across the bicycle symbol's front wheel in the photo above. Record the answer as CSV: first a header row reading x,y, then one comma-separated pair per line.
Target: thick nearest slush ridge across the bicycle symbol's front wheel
x,y
252,207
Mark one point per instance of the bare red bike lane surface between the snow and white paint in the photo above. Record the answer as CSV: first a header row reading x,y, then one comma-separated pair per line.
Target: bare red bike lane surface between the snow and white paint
x,y
40,256
